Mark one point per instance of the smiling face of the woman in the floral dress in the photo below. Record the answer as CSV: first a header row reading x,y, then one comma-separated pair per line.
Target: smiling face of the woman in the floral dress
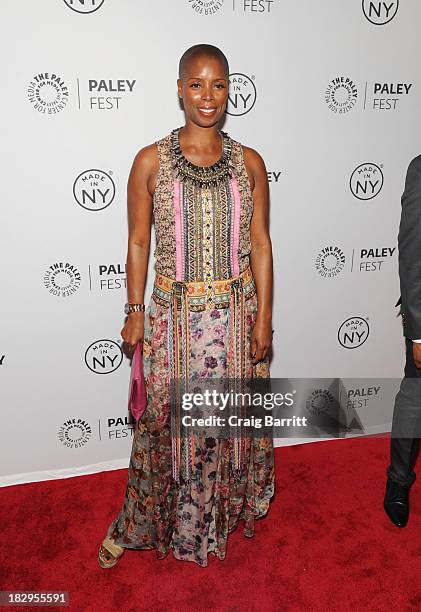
x,y
204,89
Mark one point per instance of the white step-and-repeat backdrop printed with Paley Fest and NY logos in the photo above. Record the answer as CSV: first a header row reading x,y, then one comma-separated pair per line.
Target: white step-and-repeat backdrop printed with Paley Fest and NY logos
x,y
328,92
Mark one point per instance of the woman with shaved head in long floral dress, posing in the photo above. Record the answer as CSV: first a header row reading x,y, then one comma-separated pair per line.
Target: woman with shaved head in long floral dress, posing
x,y
209,317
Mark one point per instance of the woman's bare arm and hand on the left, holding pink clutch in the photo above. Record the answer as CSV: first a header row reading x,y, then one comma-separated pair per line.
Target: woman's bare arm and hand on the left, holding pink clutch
x,y
140,189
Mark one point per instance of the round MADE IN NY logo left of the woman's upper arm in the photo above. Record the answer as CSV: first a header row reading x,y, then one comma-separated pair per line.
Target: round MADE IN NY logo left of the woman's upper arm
x,y
94,189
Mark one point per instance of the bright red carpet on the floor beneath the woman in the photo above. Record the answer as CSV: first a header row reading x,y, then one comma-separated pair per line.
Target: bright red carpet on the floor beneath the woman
x,y
325,544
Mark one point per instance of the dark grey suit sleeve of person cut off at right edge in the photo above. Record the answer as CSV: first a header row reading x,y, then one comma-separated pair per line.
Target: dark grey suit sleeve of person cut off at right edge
x,y
409,243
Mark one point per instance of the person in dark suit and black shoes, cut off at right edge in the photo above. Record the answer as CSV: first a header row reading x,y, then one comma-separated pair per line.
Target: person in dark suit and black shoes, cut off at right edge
x,y
405,436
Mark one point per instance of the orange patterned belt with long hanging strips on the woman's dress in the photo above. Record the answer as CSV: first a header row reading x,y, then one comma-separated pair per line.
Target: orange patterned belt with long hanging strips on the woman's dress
x,y
180,297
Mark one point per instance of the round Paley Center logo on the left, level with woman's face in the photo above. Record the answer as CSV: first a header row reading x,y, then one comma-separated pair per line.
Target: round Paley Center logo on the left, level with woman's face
x,y
48,93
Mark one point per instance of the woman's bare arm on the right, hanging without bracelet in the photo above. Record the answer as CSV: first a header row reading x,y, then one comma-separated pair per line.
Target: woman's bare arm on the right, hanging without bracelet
x,y
261,253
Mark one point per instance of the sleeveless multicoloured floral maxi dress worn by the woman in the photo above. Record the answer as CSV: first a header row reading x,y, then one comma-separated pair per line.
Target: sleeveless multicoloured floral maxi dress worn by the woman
x,y
203,243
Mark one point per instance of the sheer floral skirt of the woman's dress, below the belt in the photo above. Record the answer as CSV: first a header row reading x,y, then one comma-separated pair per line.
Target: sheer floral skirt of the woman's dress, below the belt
x,y
191,518
